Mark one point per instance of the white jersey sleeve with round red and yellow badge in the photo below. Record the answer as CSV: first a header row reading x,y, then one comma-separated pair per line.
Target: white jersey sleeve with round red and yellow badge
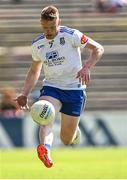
x,y
79,39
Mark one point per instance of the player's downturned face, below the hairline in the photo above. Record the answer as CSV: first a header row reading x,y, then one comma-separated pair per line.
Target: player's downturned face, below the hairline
x,y
50,28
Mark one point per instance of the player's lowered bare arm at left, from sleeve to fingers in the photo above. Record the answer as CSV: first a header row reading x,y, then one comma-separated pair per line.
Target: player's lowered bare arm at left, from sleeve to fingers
x,y
30,81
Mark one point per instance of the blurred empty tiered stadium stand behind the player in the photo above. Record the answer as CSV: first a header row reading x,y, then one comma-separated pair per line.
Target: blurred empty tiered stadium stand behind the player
x,y
19,24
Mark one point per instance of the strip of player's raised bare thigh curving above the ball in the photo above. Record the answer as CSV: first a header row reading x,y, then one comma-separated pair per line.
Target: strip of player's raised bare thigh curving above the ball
x,y
55,102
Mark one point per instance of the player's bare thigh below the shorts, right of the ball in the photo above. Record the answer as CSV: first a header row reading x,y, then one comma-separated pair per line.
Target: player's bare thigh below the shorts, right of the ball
x,y
68,126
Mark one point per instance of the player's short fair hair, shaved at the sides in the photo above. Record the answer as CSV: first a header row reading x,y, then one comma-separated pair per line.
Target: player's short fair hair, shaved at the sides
x,y
49,13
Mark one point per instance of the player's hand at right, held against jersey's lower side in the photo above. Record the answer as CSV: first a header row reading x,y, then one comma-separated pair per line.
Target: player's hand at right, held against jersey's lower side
x,y
84,75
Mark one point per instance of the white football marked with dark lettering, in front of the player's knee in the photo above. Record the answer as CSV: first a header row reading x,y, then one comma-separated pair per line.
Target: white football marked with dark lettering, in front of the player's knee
x,y
42,112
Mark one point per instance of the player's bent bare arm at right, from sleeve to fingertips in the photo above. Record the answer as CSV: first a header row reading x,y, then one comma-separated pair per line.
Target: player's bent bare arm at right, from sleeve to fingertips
x,y
96,51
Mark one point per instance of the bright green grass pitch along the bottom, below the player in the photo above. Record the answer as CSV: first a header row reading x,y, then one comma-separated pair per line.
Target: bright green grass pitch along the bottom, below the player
x,y
69,163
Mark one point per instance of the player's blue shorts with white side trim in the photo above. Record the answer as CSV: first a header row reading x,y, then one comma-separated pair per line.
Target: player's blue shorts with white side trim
x,y
73,101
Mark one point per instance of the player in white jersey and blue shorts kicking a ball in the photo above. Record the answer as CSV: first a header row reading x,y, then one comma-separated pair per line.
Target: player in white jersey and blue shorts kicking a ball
x,y
57,49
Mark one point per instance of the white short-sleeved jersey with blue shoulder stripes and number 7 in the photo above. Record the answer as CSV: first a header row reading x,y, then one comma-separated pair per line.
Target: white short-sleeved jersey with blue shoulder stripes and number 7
x,y
61,58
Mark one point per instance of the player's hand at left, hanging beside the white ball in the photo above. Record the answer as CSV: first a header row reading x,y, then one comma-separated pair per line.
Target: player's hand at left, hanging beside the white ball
x,y
22,102
